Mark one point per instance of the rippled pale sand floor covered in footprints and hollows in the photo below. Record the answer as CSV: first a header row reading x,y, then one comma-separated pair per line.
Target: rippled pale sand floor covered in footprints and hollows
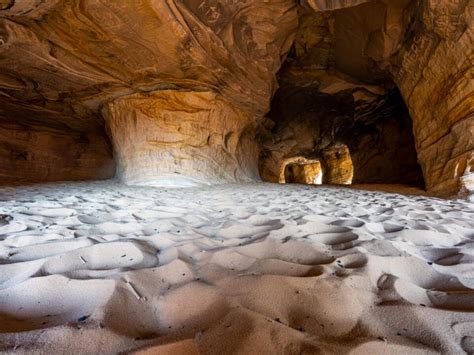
x,y
255,269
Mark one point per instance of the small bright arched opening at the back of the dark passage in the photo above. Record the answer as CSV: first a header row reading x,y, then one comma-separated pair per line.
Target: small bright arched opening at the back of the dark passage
x,y
301,170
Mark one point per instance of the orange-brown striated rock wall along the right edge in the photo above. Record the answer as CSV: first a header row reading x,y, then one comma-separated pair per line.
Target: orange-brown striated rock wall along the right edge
x,y
434,71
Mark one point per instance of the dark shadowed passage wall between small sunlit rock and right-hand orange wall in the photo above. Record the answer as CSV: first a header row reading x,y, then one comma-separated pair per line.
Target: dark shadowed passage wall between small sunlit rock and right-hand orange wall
x,y
384,150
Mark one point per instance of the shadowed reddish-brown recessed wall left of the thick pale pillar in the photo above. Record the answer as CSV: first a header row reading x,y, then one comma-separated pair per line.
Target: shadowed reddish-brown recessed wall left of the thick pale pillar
x,y
33,154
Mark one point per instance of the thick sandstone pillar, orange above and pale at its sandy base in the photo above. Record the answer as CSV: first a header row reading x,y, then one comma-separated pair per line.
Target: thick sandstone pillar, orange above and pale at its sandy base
x,y
181,138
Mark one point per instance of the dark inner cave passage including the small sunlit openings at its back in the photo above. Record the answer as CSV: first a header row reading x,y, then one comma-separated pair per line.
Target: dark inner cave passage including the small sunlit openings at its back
x,y
339,139
